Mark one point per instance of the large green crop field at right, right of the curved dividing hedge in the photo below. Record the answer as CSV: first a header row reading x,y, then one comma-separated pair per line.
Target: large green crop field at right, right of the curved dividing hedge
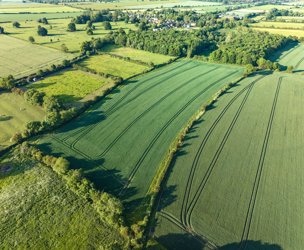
x,y
235,181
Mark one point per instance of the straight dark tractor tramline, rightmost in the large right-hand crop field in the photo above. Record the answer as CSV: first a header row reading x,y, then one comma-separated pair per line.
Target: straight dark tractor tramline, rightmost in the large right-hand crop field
x,y
257,180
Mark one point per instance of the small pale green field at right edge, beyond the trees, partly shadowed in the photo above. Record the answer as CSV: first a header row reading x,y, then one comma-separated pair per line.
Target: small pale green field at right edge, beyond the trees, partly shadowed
x,y
291,56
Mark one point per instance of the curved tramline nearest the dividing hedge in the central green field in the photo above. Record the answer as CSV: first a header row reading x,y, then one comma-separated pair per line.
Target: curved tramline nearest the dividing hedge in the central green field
x,y
147,150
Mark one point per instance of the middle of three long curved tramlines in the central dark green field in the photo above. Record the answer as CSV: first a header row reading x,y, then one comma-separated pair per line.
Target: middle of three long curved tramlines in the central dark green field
x,y
151,107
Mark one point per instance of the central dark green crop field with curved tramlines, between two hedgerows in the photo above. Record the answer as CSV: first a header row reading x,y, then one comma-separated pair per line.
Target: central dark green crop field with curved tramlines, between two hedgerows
x,y
120,141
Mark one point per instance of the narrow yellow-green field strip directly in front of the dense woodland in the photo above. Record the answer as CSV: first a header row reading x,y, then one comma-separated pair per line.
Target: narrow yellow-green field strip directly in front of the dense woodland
x,y
140,55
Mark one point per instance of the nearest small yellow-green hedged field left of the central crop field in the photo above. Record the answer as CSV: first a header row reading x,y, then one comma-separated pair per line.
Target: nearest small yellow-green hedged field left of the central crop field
x,y
71,85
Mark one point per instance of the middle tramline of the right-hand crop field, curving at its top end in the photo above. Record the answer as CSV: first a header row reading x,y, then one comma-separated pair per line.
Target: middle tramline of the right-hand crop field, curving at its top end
x,y
205,179
